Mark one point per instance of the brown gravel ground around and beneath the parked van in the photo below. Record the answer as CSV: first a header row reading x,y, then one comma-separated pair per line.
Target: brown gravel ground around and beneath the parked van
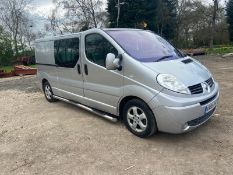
x,y
37,137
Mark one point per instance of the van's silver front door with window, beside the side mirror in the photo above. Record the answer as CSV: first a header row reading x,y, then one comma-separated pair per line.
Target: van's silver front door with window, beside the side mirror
x,y
102,87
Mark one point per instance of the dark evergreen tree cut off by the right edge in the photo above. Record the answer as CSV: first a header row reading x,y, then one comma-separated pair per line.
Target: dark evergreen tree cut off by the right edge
x,y
230,18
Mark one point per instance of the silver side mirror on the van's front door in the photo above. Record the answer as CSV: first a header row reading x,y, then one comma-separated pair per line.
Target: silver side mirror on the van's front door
x,y
113,63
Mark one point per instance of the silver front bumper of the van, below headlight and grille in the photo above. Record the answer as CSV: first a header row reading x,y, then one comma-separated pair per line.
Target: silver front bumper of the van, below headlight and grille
x,y
179,115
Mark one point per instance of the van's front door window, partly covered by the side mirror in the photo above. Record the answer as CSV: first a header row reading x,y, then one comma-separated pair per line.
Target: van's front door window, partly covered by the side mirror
x,y
97,48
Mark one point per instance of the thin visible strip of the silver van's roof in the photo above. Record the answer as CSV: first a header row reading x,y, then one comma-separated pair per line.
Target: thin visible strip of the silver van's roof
x,y
50,38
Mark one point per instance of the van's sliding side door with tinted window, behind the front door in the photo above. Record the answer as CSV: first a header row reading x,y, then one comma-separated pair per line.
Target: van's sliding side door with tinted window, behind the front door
x,y
67,59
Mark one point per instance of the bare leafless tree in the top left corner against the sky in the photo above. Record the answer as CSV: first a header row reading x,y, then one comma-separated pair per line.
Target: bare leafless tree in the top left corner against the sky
x,y
12,14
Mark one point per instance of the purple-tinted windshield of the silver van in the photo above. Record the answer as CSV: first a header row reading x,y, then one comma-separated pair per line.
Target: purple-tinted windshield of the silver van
x,y
145,46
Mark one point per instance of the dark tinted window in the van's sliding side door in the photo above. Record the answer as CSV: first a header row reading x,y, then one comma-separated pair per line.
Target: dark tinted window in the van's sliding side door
x,y
66,52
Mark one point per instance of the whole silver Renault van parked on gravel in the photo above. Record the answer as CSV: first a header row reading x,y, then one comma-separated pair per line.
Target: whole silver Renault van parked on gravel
x,y
128,74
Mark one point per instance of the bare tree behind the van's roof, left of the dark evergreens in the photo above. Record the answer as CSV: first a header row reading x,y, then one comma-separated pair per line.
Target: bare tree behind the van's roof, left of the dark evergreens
x,y
79,15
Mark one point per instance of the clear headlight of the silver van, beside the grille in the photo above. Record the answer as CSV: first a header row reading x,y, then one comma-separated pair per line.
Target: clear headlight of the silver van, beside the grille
x,y
170,82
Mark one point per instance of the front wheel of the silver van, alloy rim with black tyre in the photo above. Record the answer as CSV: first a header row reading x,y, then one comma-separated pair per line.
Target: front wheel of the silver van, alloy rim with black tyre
x,y
139,119
